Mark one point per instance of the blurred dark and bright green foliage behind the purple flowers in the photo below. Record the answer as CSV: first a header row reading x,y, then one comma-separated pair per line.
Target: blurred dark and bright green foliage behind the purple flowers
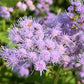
x,y
10,77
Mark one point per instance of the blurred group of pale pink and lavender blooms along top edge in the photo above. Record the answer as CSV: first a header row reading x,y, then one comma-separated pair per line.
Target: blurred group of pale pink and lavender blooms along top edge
x,y
42,5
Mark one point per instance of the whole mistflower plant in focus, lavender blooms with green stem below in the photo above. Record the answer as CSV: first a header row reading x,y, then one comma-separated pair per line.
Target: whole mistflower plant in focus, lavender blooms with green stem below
x,y
47,42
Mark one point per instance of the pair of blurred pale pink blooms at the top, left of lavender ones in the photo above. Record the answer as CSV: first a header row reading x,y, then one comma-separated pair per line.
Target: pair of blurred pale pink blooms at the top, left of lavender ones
x,y
23,6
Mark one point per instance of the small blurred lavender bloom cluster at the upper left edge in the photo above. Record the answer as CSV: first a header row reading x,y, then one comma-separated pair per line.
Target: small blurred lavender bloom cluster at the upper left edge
x,y
5,12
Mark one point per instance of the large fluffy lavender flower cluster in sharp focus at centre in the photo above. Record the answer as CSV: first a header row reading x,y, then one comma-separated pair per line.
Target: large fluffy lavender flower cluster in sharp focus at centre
x,y
42,42
